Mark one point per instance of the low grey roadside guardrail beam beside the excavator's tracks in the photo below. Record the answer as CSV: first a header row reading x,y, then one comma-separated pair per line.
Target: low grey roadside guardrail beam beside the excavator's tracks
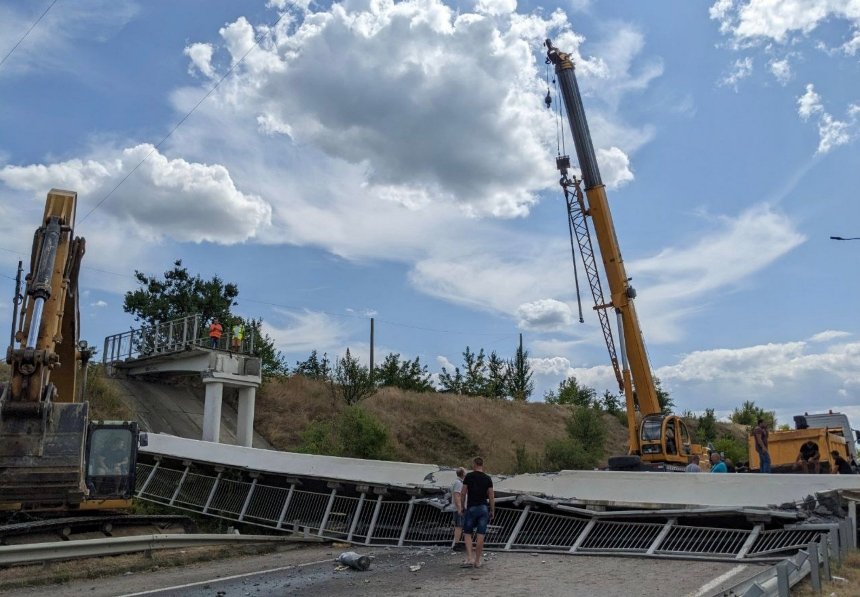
x,y
88,548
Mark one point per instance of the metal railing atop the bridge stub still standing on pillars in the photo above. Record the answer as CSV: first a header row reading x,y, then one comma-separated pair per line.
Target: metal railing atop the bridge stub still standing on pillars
x,y
172,336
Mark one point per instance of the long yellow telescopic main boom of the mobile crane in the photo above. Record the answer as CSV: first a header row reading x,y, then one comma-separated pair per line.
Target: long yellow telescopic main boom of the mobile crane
x,y
598,209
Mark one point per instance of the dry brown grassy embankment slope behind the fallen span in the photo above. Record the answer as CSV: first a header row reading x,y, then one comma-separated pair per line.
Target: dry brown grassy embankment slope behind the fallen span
x,y
442,429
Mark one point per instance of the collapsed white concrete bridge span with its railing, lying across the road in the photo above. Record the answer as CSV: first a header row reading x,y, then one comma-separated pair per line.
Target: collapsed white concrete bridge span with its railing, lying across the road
x,y
736,517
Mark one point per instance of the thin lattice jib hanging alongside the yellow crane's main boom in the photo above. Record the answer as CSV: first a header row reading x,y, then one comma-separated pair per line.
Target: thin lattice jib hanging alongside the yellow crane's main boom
x,y
576,213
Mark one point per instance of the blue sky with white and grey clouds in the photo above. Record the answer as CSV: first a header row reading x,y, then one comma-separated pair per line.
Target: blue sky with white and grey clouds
x,y
396,160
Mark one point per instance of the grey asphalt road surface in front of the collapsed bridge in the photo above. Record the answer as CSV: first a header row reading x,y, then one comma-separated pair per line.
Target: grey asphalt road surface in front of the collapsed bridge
x,y
433,571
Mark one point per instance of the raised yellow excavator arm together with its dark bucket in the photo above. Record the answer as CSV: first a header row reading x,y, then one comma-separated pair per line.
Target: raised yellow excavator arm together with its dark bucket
x,y
42,427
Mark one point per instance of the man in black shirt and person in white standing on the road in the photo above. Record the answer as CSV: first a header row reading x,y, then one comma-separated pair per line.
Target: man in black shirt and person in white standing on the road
x,y
474,507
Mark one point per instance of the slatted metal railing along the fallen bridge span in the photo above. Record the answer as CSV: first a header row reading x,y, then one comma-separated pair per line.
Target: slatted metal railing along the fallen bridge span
x,y
379,520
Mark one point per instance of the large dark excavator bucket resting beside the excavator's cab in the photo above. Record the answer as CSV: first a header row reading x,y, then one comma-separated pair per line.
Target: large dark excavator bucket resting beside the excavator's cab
x,y
42,454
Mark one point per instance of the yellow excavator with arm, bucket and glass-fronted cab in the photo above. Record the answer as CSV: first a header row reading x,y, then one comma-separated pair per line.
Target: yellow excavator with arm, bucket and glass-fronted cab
x,y
52,457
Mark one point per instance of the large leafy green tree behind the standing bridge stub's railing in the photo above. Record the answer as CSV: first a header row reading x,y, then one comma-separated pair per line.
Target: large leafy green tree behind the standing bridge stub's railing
x,y
178,294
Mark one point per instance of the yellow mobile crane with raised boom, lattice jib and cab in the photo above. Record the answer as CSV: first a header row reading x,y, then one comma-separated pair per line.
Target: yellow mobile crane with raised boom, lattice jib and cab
x,y
654,437
